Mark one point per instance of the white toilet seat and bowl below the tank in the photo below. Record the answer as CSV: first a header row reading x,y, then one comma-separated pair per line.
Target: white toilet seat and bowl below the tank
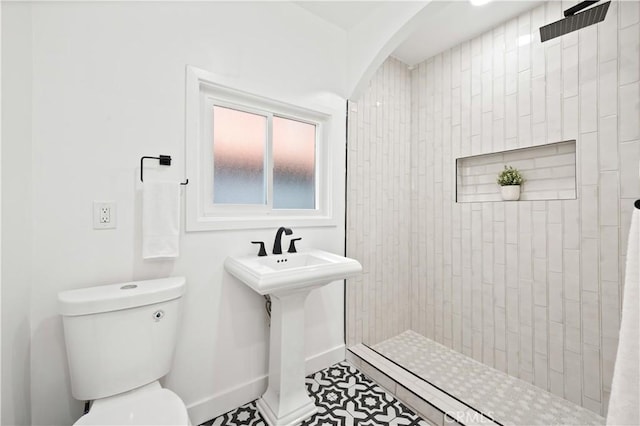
x,y
149,407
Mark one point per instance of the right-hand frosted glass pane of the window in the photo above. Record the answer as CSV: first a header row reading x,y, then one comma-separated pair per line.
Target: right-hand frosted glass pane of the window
x,y
294,164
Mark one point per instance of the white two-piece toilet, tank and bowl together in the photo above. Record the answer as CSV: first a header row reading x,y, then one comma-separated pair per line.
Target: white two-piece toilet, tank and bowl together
x,y
120,340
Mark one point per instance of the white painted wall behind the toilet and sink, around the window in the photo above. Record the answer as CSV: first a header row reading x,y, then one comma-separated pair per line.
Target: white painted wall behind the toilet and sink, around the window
x,y
107,88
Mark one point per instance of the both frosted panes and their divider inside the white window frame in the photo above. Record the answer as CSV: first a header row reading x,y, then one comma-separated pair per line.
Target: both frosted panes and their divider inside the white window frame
x,y
242,147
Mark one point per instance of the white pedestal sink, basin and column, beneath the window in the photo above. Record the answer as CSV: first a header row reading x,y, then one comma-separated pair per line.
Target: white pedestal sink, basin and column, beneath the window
x,y
289,278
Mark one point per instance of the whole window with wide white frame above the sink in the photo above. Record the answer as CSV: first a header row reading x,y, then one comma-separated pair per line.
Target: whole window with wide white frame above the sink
x,y
259,162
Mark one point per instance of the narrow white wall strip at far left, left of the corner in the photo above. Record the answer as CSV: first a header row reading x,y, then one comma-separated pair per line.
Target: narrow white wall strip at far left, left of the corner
x,y
16,215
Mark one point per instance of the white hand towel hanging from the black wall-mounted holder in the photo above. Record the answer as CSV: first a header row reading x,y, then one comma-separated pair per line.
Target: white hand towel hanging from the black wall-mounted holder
x,y
160,219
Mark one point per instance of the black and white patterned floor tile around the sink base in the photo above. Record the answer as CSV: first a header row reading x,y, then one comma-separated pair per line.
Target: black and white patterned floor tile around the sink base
x,y
344,397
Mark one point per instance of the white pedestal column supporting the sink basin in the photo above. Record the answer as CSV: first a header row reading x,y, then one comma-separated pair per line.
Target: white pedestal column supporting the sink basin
x,y
286,401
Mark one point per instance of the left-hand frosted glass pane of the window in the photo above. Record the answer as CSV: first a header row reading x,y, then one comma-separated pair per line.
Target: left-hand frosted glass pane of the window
x,y
239,141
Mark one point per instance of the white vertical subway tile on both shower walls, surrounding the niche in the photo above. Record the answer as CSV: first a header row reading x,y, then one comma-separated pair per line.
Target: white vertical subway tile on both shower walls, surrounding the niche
x,y
531,287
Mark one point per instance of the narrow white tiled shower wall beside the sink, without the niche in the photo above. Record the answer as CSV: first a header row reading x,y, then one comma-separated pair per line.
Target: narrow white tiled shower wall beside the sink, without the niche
x,y
379,185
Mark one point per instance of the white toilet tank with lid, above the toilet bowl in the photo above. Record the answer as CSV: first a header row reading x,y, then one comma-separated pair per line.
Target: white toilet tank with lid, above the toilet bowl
x,y
120,336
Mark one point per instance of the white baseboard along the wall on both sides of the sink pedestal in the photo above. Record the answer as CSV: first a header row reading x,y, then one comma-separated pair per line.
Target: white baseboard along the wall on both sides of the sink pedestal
x,y
222,402
